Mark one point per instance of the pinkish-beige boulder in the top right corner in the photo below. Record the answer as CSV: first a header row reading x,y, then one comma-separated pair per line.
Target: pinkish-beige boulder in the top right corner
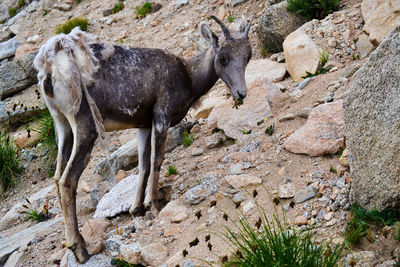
x,y
385,17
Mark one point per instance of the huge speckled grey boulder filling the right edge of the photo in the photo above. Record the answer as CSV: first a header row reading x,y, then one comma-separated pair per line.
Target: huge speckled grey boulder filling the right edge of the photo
x,y
371,113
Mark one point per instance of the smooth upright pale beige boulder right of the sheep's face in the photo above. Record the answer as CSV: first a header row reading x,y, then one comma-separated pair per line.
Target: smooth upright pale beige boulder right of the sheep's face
x,y
301,55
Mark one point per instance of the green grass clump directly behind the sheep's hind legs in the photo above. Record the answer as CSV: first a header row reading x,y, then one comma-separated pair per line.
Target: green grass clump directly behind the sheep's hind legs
x,y
45,128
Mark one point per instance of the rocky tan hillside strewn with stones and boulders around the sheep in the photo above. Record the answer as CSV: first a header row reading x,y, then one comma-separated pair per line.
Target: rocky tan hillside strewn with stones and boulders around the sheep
x,y
306,147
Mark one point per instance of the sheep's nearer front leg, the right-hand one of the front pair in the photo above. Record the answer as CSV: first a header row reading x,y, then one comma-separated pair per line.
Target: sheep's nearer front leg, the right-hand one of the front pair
x,y
158,138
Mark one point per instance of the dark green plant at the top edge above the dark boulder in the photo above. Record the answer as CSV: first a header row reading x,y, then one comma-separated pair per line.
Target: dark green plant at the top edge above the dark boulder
x,y
313,9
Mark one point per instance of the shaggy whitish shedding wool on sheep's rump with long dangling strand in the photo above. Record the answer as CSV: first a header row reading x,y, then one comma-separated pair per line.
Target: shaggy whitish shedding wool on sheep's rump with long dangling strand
x,y
72,63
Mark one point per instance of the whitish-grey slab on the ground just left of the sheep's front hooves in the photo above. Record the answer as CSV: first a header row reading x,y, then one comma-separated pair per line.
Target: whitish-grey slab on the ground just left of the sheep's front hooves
x,y
119,199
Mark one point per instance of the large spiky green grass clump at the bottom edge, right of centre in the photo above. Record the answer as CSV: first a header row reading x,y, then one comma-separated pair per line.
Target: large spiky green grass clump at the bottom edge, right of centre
x,y
276,244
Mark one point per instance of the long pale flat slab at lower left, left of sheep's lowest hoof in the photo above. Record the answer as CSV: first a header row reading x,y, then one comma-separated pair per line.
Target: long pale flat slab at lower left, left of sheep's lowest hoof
x,y
14,242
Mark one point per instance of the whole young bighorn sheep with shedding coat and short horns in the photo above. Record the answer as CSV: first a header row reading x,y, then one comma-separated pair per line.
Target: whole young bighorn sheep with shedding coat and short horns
x,y
90,88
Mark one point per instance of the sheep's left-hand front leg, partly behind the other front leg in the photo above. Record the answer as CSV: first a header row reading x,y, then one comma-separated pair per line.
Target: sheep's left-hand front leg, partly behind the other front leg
x,y
144,149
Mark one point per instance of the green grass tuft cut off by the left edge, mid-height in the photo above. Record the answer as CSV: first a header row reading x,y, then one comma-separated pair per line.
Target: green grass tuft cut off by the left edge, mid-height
x,y
9,163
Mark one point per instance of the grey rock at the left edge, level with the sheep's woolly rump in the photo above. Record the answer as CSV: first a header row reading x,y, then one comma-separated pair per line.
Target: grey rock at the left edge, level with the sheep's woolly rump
x,y
17,75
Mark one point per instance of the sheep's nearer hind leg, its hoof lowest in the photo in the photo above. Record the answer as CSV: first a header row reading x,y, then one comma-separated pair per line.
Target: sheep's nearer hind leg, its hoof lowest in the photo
x,y
82,146
